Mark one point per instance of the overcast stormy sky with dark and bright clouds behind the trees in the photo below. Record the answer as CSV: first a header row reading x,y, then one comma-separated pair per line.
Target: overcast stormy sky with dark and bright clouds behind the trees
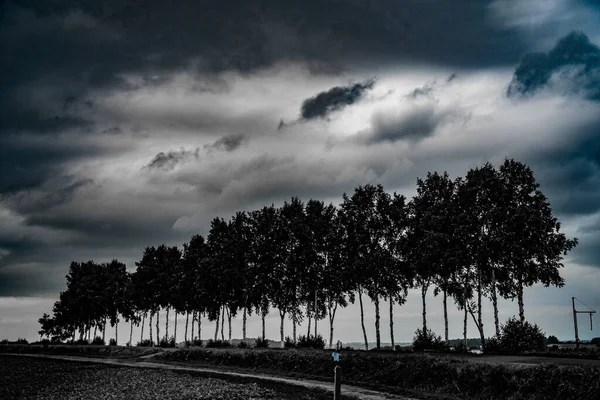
x,y
130,123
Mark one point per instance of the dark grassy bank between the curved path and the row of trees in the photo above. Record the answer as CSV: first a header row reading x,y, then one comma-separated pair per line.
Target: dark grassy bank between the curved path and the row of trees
x,y
418,374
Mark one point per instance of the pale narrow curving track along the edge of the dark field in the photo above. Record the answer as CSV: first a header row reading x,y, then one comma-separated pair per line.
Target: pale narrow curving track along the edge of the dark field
x,y
347,390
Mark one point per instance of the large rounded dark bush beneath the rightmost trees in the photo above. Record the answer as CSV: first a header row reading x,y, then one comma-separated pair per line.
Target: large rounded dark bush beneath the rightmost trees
x,y
519,337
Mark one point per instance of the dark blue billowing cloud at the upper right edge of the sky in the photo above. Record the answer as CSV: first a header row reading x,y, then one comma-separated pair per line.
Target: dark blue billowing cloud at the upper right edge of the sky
x,y
573,66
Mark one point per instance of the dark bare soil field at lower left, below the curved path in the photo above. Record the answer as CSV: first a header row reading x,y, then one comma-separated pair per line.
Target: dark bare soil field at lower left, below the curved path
x,y
30,378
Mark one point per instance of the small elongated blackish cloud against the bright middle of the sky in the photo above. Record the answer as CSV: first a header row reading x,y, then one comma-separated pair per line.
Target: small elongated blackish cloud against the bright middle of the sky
x,y
334,99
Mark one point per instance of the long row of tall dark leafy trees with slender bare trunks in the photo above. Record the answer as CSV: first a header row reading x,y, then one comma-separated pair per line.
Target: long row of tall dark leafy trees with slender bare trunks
x,y
485,235
